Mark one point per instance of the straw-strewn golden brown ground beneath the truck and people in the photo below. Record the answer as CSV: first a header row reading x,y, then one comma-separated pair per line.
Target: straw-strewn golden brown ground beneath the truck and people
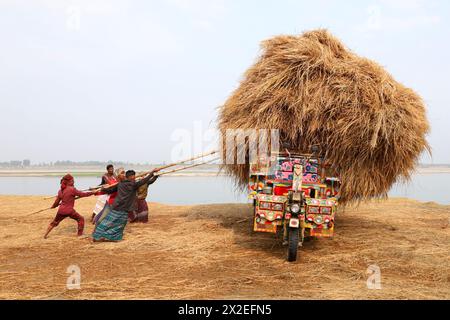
x,y
210,252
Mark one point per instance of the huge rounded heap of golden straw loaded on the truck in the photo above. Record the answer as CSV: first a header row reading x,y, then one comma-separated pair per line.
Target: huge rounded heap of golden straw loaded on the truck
x,y
369,127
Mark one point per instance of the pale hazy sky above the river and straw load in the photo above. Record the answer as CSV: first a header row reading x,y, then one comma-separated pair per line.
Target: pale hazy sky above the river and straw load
x,y
109,79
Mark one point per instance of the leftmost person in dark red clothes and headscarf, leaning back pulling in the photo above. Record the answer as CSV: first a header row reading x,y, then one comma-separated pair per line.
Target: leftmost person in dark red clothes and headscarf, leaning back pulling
x,y
66,202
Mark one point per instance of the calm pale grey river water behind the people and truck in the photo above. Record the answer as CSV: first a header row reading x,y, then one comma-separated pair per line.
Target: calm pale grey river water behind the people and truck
x,y
220,189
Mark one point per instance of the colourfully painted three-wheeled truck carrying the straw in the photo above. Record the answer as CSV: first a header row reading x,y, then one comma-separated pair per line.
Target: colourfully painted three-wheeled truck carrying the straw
x,y
296,195
